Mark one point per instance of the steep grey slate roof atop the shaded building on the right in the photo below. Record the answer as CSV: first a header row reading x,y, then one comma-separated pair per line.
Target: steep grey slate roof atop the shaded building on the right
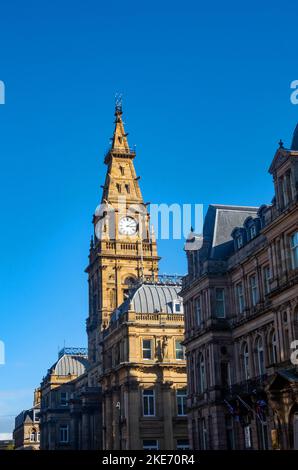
x,y
219,223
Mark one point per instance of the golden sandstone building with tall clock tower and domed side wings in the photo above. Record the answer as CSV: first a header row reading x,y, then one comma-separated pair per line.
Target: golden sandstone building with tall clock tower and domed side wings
x,y
130,391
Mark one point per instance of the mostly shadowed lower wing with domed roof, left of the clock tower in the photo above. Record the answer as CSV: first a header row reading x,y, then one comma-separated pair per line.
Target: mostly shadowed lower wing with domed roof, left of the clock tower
x,y
69,407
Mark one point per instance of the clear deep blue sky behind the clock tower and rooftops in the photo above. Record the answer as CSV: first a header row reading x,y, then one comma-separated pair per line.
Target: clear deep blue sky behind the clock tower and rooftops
x,y
206,98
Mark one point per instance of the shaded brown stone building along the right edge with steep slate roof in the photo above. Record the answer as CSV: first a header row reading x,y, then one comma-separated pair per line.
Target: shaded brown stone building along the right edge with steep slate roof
x,y
241,310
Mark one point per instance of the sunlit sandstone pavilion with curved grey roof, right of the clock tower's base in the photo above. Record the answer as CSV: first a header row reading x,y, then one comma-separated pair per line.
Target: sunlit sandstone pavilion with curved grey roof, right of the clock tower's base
x,y
144,372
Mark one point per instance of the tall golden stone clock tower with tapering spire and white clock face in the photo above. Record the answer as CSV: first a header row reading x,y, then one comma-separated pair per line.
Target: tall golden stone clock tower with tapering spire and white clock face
x,y
123,248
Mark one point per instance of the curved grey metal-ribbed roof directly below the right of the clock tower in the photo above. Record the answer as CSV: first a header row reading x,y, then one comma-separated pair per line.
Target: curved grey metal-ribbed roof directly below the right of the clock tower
x,y
150,298
